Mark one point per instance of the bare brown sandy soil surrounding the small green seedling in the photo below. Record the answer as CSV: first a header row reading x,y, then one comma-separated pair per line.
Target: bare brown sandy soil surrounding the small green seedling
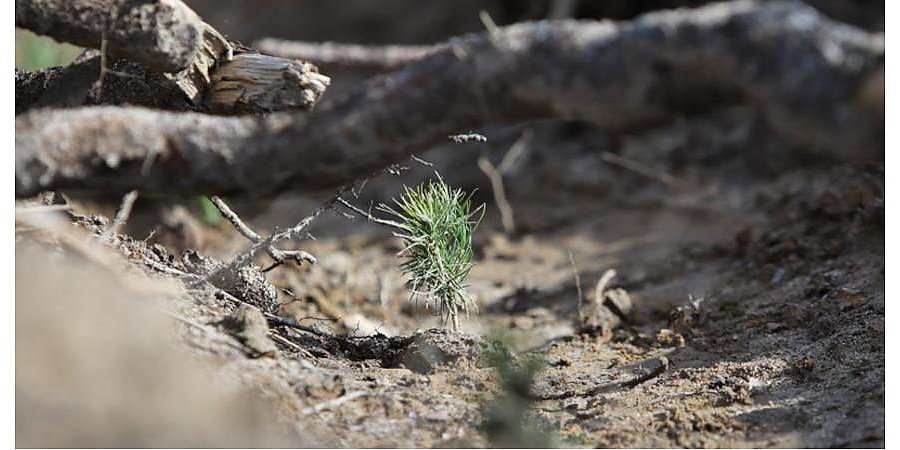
x,y
781,252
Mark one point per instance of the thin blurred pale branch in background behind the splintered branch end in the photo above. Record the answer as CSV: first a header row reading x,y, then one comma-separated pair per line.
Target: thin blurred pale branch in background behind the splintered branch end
x,y
374,58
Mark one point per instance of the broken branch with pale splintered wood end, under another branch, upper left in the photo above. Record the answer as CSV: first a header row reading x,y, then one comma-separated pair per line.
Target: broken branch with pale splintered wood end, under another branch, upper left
x,y
249,83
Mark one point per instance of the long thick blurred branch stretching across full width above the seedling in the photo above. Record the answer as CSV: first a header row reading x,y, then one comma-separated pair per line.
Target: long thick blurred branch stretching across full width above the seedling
x,y
618,76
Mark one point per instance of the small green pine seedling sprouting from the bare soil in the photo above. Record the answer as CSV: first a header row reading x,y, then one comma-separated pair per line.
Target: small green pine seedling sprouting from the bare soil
x,y
436,226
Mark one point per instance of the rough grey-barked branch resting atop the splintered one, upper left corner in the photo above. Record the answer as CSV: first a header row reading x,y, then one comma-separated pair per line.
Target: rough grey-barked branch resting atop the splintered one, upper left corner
x,y
164,35
